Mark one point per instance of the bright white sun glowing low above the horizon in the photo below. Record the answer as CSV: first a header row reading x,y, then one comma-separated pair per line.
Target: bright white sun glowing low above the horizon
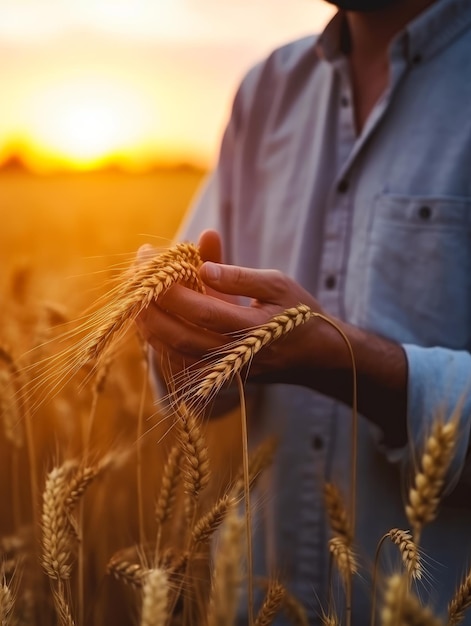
x,y
86,123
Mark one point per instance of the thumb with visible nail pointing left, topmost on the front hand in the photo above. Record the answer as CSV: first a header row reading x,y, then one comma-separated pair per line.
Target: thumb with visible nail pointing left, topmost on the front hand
x,y
263,285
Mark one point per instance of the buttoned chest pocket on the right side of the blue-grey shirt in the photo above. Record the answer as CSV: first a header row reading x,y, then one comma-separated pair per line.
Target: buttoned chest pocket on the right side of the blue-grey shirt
x,y
418,270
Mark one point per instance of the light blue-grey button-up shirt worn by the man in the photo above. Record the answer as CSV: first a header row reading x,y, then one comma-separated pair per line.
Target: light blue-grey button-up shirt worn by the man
x,y
378,228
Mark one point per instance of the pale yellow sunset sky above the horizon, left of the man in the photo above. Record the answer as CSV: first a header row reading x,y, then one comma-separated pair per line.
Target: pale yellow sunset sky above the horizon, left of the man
x,y
134,81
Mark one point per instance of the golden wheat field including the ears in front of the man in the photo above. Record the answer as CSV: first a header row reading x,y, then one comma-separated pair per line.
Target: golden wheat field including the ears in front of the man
x,y
110,504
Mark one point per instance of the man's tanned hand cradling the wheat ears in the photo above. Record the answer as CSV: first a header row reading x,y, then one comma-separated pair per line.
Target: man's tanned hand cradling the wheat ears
x,y
186,325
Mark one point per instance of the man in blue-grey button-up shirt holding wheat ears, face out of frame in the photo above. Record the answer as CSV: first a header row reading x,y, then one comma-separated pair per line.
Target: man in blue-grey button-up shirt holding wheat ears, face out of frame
x,y
345,168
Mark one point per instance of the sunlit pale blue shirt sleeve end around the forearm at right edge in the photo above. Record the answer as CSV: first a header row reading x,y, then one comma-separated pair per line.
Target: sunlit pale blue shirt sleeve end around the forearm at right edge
x,y
439,384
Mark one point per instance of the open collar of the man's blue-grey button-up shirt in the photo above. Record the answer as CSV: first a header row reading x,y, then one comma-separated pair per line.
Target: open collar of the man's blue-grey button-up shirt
x,y
432,30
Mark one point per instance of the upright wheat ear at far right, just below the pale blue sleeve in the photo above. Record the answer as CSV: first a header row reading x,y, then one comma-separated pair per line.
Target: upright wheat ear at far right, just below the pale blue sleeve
x,y
424,495
